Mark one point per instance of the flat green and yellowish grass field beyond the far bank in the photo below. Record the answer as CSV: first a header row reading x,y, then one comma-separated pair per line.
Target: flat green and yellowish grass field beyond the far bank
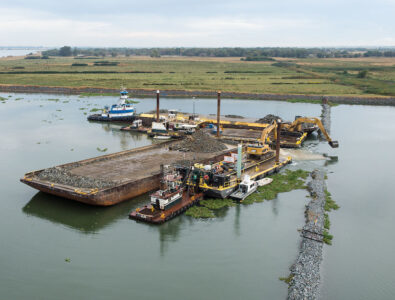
x,y
302,76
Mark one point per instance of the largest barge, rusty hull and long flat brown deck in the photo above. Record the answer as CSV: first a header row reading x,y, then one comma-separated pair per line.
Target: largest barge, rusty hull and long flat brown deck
x,y
128,174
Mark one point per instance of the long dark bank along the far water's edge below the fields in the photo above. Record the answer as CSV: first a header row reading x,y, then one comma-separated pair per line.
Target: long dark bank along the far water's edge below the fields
x,y
206,94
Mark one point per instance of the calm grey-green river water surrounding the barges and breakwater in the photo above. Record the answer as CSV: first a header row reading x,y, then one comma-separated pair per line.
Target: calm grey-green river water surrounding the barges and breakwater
x,y
55,248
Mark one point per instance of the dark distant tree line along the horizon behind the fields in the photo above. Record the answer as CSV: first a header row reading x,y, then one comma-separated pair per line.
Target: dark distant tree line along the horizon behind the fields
x,y
248,53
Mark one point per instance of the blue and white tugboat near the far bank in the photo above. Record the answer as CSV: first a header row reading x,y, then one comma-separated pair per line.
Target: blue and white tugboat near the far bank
x,y
122,111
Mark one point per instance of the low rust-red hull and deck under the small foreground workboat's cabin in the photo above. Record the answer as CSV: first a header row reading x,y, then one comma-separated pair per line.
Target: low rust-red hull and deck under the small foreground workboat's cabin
x,y
156,216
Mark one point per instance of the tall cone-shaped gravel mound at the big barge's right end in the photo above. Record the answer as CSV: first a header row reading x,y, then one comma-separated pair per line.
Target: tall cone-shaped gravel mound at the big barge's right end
x,y
199,141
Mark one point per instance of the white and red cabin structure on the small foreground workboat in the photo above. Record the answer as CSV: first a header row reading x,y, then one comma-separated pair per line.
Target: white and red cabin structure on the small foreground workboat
x,y
171,194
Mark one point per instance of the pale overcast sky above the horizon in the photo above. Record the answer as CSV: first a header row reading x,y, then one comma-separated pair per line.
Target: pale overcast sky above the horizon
x,y
203,23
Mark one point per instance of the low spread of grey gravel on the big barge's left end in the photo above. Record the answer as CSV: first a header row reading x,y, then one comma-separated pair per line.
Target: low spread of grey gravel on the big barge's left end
x,y
62,175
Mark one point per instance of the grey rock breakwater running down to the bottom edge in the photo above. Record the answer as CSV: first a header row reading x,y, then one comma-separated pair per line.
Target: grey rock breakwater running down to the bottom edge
x,y
305,272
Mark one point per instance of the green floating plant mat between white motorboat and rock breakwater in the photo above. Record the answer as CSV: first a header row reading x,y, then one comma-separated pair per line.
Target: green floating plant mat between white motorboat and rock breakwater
x,y
282,182
